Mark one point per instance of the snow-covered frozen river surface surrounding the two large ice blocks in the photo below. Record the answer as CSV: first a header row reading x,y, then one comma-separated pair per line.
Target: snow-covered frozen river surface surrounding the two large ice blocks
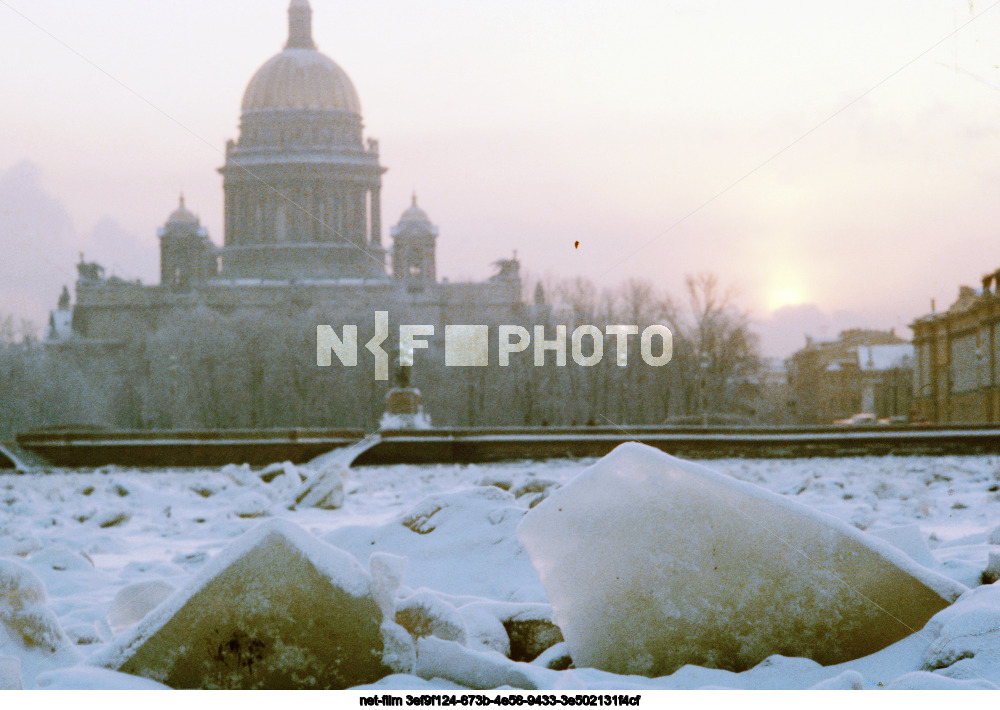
x,y
88,535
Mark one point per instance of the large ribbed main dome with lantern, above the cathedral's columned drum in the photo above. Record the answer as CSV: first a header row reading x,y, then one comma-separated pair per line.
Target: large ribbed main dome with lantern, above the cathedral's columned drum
x,y
300,77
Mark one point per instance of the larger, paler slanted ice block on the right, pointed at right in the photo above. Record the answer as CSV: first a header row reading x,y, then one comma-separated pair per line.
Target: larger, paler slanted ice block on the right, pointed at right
x,y
651,562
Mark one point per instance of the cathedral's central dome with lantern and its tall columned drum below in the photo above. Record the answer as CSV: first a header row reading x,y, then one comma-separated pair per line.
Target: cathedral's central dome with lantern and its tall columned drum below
x,y
302,185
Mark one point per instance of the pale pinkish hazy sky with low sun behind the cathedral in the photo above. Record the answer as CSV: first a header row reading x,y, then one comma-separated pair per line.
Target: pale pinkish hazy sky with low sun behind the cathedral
x,y
838,163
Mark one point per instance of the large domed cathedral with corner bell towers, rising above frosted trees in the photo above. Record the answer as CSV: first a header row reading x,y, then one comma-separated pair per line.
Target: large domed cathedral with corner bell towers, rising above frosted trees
x,y
303,223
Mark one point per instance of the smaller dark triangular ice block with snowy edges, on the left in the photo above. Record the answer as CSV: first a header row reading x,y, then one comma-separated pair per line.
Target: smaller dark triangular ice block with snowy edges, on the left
x,y
277,609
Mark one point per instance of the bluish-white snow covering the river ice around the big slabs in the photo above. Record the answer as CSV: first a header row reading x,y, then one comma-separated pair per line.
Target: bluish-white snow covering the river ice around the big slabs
x,y
438,543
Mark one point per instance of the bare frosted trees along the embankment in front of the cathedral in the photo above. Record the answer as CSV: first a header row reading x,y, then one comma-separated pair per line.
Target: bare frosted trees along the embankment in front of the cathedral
x,y
255,369
